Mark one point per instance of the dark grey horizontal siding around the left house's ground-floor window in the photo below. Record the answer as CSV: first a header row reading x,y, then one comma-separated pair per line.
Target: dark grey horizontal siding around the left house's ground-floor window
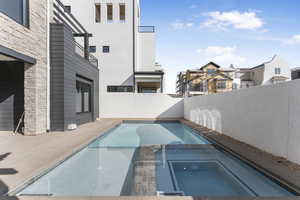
x,y
66,66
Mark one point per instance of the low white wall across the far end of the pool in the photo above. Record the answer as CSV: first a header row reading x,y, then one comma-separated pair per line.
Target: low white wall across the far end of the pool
x,y
130,105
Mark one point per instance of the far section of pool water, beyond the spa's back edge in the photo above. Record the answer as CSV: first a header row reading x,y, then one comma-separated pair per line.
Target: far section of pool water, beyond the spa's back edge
x,y
140,134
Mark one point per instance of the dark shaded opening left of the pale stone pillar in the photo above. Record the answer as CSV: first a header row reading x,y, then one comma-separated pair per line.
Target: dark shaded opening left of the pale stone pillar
x,y
11,94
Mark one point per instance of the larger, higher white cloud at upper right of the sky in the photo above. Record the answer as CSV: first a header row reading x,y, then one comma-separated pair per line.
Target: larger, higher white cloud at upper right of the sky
x,y
223,20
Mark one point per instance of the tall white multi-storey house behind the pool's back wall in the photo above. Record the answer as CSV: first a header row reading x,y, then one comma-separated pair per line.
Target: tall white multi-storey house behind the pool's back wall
x,y
125,50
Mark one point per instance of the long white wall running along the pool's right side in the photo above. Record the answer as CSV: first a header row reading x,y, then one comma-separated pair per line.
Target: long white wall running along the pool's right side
x,y
266,117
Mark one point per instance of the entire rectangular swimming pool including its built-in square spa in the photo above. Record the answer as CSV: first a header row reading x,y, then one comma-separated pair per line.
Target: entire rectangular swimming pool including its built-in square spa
x,y
150,158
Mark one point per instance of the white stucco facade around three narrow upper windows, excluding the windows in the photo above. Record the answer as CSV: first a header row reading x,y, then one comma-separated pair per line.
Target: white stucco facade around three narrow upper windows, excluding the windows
x,y
116,67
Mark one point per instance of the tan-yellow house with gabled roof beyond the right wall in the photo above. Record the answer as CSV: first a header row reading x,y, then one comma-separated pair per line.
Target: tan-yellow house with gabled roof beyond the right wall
x,y
206,80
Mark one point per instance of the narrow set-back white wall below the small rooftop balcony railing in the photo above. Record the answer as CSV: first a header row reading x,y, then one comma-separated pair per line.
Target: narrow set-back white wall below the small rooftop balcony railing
x,y
146,49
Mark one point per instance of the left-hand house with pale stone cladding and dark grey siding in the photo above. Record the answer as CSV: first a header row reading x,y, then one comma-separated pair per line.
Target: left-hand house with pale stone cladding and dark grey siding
x,y
44,86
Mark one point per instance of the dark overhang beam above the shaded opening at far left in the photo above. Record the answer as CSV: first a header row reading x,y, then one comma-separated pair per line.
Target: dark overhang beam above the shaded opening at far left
x,y
8,54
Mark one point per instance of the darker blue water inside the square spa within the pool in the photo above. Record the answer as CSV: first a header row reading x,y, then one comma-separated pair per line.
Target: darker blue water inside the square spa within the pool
x,y
208,178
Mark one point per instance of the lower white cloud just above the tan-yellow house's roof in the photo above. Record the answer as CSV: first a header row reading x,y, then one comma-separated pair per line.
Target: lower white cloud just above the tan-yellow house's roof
x,y
222,55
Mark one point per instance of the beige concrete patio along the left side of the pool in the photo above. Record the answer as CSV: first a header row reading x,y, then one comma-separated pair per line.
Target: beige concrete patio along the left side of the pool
x,y
23,157
